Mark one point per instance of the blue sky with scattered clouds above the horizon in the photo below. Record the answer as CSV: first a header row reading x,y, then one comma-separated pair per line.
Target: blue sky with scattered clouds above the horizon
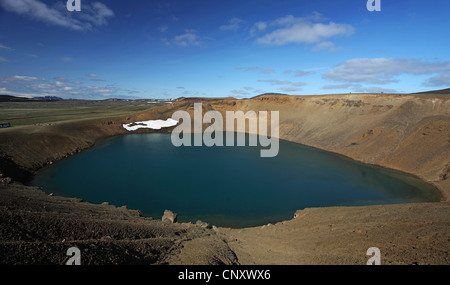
x,y
218,48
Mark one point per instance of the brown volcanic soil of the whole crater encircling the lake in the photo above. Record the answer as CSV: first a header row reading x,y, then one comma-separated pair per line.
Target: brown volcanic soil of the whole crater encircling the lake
x,y
405,132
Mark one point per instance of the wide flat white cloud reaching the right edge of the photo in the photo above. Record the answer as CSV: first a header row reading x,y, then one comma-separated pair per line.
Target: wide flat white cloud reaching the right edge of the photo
x,y
382,70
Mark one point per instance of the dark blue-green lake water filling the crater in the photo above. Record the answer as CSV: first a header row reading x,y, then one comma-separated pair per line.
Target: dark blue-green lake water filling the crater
x,y
224,186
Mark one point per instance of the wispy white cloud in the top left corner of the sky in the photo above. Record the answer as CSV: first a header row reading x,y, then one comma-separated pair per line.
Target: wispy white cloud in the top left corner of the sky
x,y
94,14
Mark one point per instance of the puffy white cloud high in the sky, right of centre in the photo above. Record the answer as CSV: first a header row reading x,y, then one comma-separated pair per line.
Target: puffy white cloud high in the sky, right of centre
x,y
302,30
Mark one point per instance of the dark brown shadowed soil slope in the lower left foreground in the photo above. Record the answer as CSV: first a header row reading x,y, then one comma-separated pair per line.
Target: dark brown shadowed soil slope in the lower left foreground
x,y
38,229
